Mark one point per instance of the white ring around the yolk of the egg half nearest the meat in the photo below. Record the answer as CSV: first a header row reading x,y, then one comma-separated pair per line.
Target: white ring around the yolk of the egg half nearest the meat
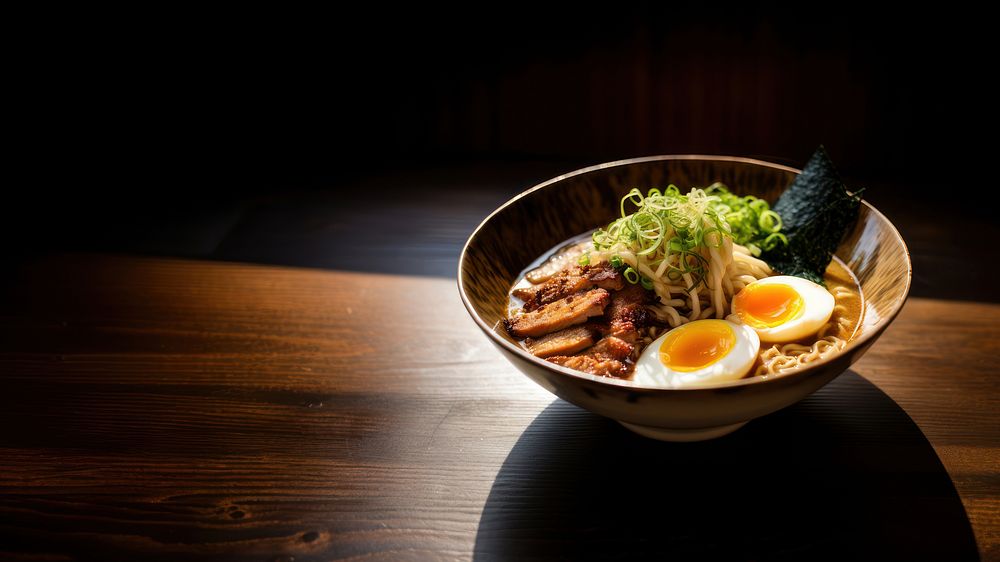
x,y
650,371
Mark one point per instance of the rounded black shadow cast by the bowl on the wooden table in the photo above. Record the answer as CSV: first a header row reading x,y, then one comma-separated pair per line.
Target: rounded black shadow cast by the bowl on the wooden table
x,y
844,473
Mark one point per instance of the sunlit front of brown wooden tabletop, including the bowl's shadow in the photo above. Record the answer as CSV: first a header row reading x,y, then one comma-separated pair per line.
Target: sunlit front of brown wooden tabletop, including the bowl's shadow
x,y
167,409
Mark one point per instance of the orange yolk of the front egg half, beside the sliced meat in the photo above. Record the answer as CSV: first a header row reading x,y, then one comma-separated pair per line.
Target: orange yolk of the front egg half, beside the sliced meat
x,y
697,345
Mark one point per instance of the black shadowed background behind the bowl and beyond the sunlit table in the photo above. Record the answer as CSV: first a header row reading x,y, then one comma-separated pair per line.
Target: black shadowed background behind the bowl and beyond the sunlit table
x,y
296,137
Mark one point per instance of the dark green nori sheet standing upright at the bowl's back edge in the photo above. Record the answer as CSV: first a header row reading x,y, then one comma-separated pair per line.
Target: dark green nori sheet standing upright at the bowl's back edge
x,y
816,212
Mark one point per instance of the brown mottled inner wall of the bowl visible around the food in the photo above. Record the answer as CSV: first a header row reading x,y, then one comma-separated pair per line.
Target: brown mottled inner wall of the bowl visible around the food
x,y
543,217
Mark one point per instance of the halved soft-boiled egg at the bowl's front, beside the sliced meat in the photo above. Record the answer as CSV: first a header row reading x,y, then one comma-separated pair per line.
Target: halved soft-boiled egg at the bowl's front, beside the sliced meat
x,y
698,353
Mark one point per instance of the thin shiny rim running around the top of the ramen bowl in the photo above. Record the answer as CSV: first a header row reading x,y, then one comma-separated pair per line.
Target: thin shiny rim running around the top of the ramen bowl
x,y
874,332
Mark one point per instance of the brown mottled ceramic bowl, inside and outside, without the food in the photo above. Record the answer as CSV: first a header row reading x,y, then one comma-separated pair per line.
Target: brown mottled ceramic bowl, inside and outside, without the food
x,y
538,220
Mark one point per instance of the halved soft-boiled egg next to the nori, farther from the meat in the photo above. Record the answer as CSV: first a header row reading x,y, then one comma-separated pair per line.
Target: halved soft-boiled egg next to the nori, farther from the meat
x,y
783,308
